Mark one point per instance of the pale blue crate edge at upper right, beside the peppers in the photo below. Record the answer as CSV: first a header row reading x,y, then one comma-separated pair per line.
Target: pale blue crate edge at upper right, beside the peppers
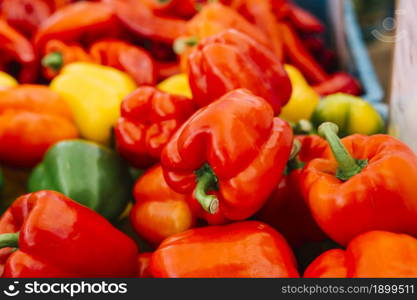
x,y
358,61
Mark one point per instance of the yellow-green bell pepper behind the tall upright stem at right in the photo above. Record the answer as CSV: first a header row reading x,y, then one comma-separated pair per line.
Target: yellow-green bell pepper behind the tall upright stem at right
x,y
352,115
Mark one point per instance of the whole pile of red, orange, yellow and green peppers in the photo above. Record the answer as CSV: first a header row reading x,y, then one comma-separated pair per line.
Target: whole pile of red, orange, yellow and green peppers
x,y
189,138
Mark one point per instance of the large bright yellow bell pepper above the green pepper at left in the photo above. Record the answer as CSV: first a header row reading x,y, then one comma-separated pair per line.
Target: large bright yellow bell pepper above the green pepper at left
x,y
94,93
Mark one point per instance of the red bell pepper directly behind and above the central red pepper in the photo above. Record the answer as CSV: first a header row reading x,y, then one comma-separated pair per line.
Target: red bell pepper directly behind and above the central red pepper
x,y
232,60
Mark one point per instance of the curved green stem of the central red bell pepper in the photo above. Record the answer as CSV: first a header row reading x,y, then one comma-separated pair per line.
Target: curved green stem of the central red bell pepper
x,y
206,180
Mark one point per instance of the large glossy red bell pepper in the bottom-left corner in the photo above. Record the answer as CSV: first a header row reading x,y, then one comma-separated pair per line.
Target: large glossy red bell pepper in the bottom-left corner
x,y
61,238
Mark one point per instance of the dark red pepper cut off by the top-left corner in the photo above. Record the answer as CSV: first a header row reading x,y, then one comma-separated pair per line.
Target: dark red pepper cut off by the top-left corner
x,y
26,15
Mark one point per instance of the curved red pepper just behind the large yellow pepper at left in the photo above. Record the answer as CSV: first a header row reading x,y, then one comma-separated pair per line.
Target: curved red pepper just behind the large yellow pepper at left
x,y
126,57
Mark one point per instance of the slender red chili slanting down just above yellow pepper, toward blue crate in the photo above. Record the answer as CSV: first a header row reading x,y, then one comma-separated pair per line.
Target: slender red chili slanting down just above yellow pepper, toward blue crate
x,y
298,55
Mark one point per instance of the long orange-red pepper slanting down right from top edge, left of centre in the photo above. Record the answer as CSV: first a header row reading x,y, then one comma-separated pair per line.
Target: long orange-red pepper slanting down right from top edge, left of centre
x,y
143,21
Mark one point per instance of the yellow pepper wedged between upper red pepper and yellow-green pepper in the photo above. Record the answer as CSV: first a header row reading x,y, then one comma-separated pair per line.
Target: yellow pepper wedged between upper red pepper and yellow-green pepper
x,y
304,98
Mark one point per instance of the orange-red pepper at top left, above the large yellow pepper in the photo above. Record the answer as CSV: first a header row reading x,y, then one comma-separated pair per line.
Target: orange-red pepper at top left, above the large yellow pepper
x,y
82,22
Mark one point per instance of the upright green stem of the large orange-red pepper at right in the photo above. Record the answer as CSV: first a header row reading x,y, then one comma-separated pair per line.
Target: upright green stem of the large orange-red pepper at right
x,y
347,165
